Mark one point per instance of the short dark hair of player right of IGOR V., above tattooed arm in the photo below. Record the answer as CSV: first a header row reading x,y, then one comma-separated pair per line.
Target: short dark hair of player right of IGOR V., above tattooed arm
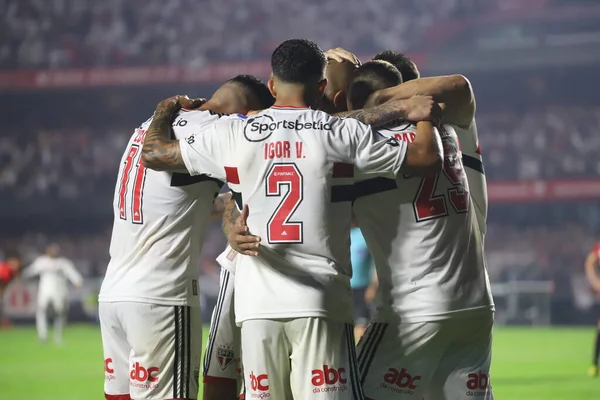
x,y
371,76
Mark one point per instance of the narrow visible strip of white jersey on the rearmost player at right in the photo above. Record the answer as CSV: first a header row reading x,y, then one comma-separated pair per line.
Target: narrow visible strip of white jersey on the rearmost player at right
x,y
468,141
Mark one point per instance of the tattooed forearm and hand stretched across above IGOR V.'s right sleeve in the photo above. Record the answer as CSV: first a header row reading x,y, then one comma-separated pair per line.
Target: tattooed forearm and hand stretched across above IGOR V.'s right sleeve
x,y
416,108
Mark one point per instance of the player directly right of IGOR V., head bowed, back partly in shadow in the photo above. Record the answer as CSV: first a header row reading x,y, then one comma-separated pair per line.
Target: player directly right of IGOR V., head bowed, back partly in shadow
x,y
435,339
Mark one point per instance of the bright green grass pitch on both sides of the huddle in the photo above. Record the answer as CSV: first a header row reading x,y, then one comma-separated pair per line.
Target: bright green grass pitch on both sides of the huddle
x,y
528,364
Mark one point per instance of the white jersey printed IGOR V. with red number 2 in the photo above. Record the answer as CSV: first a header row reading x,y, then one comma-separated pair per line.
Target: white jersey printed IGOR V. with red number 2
x,y
295,169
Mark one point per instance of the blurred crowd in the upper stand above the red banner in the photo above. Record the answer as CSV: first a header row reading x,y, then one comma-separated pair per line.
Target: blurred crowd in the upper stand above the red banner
x,y
87,33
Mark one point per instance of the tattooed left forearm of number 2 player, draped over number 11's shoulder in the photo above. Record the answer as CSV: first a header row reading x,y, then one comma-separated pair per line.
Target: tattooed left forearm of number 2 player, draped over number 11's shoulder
x,y
160,152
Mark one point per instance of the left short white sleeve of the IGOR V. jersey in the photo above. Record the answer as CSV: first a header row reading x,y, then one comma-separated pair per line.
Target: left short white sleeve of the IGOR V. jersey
x,y
205,152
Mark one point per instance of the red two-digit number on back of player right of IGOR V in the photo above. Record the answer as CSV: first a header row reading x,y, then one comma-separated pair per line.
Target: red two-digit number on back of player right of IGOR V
x,y
429,206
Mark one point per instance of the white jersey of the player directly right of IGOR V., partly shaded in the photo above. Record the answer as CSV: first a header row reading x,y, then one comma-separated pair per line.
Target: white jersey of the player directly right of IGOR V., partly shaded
x,y
425,239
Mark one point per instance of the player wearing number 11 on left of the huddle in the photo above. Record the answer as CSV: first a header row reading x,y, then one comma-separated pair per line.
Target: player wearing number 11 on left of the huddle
x,y
149,305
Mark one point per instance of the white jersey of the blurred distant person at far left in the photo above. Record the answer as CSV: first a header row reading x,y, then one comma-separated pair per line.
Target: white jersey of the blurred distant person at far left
x,y
54,273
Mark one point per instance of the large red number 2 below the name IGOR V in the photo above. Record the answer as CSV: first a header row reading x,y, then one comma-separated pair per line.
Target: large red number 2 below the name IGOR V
x,y
279,228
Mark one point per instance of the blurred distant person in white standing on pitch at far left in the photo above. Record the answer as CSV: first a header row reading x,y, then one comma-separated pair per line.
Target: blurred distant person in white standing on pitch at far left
x,y
54,272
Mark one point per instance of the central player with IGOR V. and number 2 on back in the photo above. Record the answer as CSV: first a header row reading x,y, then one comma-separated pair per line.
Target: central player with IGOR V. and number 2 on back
x,y
292,165
